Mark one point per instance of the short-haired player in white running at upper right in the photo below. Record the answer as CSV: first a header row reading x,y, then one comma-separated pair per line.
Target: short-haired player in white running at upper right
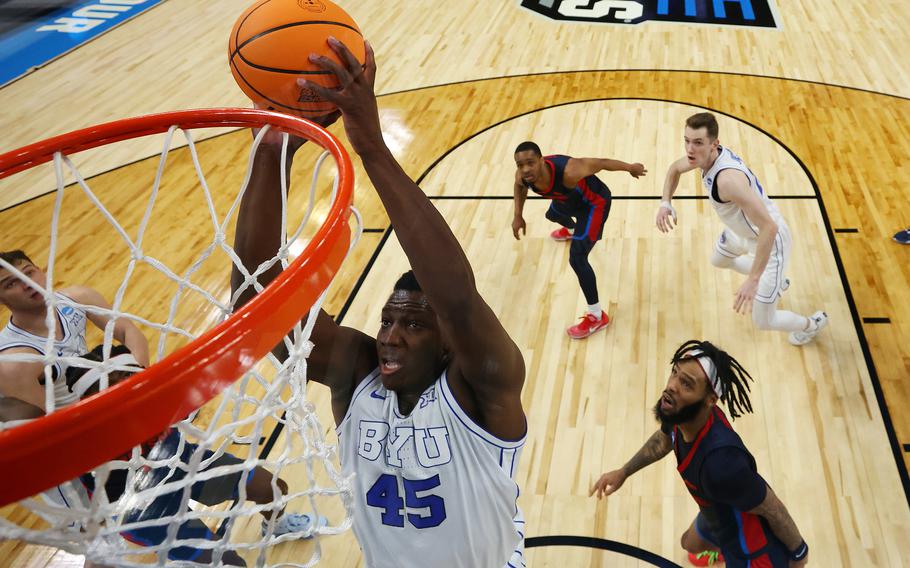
x,y
754,226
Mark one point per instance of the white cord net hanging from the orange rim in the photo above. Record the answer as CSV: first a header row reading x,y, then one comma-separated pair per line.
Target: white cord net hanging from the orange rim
x,y
198,475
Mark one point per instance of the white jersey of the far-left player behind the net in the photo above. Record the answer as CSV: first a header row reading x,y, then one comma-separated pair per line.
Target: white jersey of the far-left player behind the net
x,y
72,321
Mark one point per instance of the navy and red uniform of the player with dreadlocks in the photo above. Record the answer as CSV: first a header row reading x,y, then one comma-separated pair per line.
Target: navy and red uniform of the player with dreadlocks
x,y
721,476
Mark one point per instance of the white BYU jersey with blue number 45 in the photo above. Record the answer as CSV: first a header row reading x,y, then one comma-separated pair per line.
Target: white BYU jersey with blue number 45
x,y
431,488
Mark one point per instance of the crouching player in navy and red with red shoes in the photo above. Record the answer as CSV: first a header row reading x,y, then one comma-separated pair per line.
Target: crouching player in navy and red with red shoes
x,y
580,202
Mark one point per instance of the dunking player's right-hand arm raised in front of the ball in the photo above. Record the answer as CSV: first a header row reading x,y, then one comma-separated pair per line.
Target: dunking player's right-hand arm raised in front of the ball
x,y
488,369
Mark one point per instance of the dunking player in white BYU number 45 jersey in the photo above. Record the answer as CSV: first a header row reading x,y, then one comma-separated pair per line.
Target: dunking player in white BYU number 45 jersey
x,y
429,412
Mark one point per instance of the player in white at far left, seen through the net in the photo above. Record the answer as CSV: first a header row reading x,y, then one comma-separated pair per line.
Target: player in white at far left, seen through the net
x,y
27,331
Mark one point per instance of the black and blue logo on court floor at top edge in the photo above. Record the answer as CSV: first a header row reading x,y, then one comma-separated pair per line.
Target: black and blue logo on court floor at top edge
x,y
754,13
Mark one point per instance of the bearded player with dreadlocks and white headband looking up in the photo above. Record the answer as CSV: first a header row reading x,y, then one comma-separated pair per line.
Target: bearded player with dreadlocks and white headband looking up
x,y
740,518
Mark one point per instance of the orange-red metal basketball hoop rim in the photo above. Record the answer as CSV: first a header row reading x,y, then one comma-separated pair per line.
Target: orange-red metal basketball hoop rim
x,y
65,444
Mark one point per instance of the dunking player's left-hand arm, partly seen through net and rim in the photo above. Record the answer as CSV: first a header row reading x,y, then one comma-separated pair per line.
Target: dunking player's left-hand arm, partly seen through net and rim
x,y
341,355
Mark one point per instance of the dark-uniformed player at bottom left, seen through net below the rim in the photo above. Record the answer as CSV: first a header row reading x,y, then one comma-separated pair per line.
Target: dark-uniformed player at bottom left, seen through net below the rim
x,y
83,382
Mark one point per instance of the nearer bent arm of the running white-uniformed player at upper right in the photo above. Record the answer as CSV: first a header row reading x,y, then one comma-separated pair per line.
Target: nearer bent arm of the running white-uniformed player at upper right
x,y
733,185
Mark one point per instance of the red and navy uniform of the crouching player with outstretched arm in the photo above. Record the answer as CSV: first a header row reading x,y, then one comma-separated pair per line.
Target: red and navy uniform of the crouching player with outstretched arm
x,y
588,202
